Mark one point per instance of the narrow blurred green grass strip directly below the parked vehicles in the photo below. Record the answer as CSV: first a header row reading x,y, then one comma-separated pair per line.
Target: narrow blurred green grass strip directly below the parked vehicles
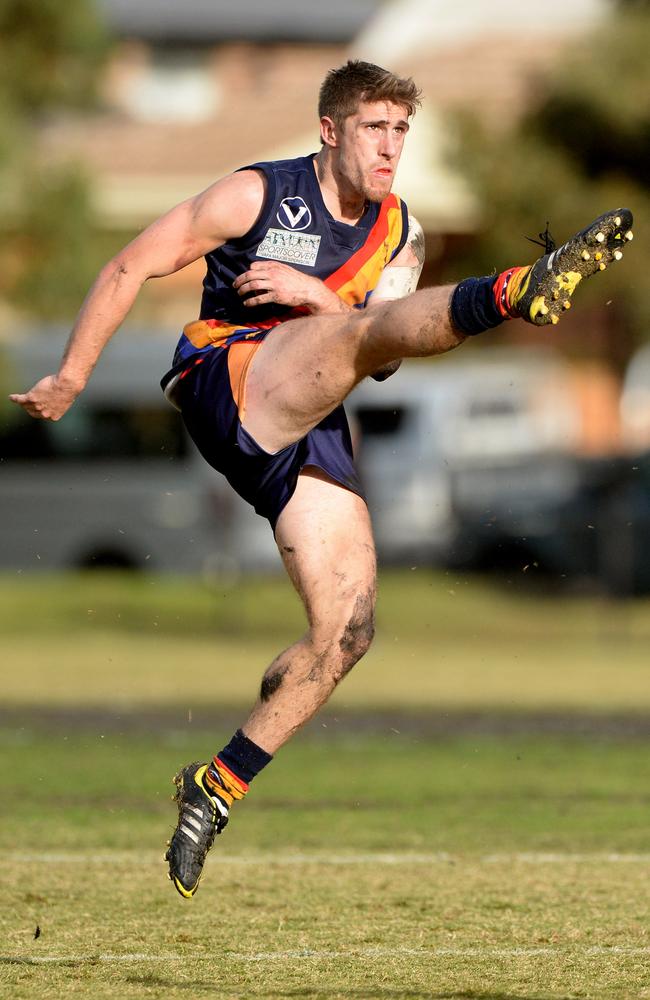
x,y
418,603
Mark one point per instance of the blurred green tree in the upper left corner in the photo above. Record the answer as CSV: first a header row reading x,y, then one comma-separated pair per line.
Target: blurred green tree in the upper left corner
x,y
50,54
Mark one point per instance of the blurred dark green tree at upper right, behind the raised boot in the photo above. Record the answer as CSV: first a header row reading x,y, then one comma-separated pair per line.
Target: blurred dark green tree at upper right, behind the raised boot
x,y
584,148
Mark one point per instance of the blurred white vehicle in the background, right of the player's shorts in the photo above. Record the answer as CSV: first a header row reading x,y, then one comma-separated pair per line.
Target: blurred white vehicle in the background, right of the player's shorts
x,y
448,444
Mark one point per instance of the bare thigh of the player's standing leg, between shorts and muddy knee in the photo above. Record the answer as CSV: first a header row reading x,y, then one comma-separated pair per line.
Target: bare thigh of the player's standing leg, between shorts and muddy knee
x,y
325,540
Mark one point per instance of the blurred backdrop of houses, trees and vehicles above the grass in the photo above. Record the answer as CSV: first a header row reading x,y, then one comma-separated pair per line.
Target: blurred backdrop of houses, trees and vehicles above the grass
x,y
525,453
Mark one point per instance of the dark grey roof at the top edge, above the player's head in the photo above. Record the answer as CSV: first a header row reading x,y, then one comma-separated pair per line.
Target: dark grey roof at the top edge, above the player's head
x,y
210,21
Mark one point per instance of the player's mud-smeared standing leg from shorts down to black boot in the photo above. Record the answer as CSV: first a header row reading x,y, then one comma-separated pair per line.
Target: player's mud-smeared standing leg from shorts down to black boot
x,y
325,540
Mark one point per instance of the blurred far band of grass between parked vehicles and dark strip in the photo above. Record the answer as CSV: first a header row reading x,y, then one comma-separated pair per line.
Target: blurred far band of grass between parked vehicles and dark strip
x,y
442,643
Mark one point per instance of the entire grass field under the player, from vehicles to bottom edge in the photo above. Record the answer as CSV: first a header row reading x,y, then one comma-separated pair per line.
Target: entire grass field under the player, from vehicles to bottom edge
x,y
470,820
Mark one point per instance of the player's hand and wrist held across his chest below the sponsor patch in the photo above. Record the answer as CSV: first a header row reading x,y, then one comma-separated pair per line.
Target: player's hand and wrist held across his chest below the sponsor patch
x,y
270,281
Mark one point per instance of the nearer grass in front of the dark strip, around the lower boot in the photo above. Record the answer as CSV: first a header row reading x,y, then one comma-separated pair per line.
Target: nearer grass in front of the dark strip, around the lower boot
x,y
359,867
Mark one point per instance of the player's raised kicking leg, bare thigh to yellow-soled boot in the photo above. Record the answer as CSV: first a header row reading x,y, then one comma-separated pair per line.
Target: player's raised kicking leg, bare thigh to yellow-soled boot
x,y
307,367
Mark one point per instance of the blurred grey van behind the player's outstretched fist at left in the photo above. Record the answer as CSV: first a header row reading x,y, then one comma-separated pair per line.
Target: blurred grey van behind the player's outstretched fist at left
x,y
116,482
